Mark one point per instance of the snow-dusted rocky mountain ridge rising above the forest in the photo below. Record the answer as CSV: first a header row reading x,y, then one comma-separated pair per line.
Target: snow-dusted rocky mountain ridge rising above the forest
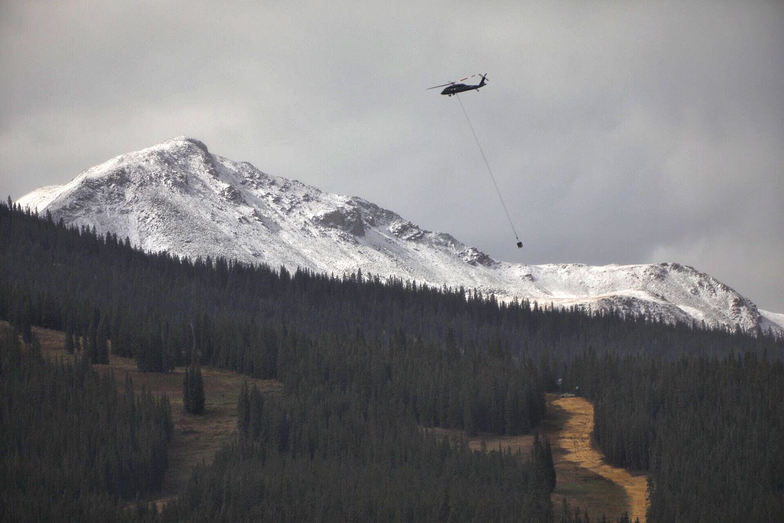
x,y
177,196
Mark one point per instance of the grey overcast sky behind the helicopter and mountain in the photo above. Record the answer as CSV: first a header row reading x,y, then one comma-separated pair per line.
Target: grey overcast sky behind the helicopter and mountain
x,y
619,132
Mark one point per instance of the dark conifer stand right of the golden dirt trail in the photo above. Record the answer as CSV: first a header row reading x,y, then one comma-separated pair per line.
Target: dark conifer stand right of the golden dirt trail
x,y
708,430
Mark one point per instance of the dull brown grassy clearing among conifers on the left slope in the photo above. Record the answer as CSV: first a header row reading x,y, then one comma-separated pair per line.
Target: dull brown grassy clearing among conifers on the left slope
x,y
195,438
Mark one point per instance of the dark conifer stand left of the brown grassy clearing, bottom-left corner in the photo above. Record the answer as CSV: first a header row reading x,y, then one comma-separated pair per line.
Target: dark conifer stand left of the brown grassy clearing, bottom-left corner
x,y
72,445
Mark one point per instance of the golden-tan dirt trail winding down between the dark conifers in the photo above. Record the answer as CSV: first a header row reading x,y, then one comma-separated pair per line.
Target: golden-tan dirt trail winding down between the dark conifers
x,y
574,439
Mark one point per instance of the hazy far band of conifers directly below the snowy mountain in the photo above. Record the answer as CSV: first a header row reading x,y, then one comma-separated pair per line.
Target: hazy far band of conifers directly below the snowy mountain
x,y
157,308
